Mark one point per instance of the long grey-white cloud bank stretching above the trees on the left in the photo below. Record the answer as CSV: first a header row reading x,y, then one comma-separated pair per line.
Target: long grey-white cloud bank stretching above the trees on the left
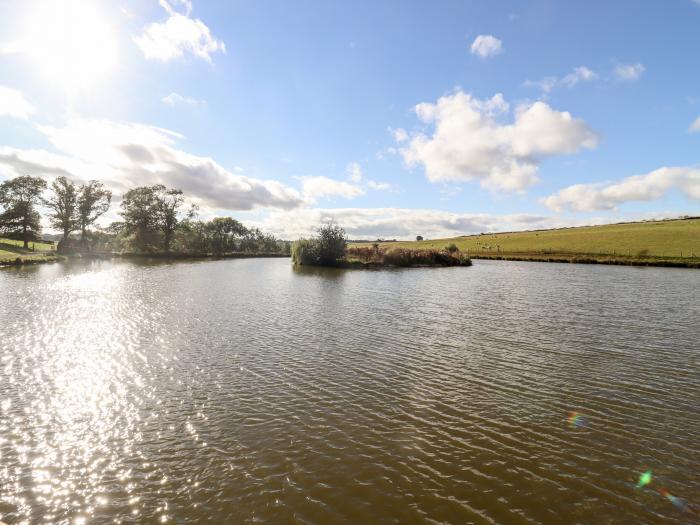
x,y
125,155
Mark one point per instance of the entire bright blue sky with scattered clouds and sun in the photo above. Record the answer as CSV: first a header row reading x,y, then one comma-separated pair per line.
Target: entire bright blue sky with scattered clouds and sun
x,y
392,118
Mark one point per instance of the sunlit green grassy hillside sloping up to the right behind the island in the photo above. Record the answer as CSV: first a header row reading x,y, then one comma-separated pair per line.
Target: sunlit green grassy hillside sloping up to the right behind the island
x,y
645,241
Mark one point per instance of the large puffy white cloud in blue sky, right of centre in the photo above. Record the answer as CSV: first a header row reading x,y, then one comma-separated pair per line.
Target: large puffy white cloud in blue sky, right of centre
x,y
470,143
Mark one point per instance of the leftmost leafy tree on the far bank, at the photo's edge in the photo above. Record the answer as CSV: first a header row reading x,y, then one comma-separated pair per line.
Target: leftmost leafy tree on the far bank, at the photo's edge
x,y
19,197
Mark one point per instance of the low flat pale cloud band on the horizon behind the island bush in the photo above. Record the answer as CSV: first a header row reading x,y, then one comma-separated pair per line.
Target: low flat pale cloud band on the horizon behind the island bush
x,y
400,223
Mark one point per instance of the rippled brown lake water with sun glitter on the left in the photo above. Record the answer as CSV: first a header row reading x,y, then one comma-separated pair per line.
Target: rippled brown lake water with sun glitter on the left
x,y
244,391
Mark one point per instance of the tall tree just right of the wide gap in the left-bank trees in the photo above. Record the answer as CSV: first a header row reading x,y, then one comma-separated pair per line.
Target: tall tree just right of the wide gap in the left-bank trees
x,y
140,210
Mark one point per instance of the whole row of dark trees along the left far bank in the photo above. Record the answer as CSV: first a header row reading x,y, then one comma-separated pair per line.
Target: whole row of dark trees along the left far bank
x,y
154,219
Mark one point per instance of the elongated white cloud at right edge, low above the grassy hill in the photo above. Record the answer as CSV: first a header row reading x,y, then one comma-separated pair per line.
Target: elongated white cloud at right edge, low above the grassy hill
x,y
654,185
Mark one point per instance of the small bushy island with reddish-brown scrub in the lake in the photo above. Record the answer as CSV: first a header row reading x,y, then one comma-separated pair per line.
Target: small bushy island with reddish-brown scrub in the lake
x,y
329,248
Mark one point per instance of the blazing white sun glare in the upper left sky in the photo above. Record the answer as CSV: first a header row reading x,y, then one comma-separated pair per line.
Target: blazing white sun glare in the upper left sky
x,y
70,42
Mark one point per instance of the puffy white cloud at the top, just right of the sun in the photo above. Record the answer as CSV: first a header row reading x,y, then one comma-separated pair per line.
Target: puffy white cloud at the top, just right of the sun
x,y
178,35
